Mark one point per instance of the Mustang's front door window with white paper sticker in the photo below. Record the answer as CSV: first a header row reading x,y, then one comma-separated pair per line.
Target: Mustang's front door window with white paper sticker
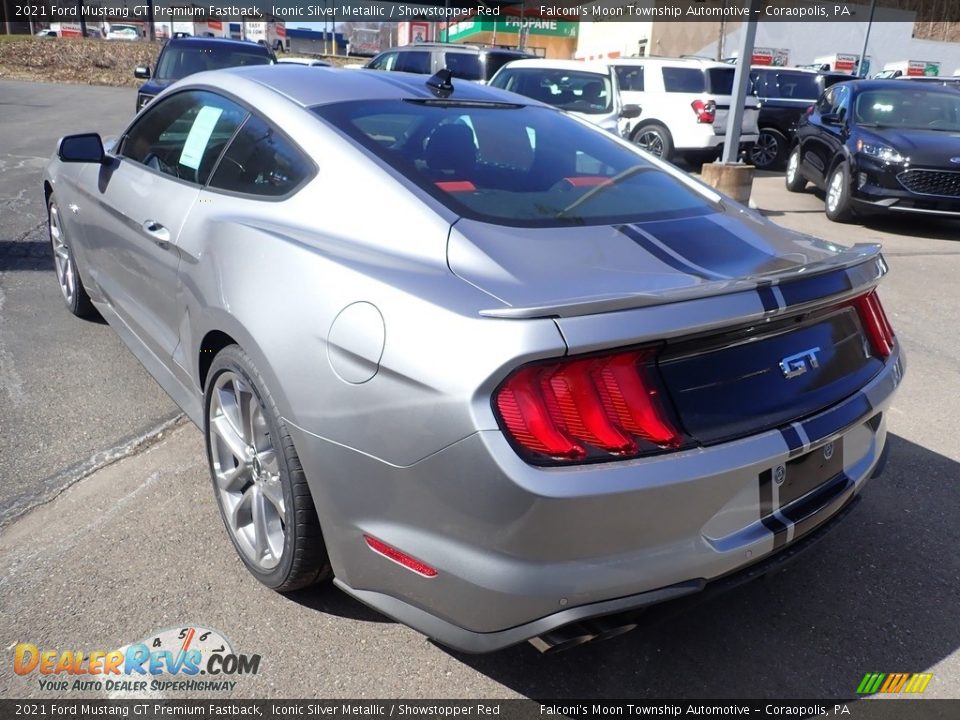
x,y
183,135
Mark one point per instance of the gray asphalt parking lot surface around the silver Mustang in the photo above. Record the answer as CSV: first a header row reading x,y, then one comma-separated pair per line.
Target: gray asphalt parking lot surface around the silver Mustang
x,y
137,546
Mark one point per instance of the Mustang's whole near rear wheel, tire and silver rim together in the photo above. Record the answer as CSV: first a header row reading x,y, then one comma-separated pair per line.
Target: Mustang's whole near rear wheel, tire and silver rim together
x,y
259,483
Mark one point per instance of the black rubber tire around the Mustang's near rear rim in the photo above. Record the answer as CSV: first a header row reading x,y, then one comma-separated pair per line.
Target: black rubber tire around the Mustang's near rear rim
x,y
303,560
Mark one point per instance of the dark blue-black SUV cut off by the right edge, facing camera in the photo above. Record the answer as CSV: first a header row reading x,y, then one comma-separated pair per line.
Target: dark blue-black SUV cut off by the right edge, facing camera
x,y
881,146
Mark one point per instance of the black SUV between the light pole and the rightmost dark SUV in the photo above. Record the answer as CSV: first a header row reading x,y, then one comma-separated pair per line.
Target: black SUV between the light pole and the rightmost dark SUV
x,y
785,94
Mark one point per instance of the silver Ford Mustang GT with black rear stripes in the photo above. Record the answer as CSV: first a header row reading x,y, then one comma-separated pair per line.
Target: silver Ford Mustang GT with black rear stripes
x,y
499,374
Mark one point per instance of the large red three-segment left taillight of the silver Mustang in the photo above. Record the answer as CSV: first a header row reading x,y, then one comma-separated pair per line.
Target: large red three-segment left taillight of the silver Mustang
x,y
590,408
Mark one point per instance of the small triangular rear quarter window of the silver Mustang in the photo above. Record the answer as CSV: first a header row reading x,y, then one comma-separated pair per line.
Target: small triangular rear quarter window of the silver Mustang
x,y
260,161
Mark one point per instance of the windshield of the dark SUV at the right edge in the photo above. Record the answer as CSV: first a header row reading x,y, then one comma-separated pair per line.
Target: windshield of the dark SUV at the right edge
x,y
911,108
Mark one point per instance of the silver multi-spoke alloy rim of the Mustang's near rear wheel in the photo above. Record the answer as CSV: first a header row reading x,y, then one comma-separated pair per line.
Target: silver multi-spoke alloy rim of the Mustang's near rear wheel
x,y
247,471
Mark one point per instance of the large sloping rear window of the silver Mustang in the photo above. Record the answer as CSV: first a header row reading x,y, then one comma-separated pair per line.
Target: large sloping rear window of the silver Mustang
x,y
514,165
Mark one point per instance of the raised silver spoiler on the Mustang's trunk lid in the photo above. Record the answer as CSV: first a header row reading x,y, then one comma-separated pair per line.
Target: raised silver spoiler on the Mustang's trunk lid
x,y
863,262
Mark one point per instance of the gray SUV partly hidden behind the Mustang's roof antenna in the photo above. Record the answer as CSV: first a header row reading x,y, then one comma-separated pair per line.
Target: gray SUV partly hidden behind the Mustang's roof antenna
x,y
469,62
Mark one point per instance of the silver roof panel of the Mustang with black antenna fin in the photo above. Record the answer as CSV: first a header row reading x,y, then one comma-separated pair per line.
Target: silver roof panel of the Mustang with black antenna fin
x,y
309,86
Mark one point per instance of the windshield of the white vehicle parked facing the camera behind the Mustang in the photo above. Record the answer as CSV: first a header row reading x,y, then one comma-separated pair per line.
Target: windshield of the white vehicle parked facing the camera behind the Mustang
x,y
574,90
